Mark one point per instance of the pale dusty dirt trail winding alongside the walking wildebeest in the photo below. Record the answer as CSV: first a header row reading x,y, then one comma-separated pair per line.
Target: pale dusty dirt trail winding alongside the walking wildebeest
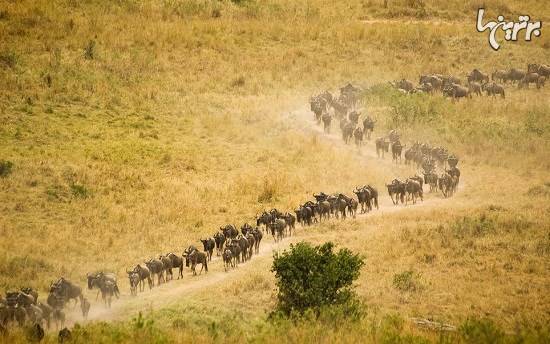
x,y
169,293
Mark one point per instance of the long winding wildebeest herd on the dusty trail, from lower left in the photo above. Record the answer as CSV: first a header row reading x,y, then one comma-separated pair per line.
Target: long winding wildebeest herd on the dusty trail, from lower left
x,y
238,245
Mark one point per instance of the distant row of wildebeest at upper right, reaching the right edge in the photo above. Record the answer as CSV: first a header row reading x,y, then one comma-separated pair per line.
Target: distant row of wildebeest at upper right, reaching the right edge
x,y
477,82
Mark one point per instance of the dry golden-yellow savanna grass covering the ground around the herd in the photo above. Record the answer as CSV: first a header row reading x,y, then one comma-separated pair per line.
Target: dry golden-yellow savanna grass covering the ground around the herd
x,y
133,128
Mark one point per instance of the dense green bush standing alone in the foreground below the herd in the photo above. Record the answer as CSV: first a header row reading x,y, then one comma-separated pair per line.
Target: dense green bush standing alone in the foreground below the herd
x,y
311,278
